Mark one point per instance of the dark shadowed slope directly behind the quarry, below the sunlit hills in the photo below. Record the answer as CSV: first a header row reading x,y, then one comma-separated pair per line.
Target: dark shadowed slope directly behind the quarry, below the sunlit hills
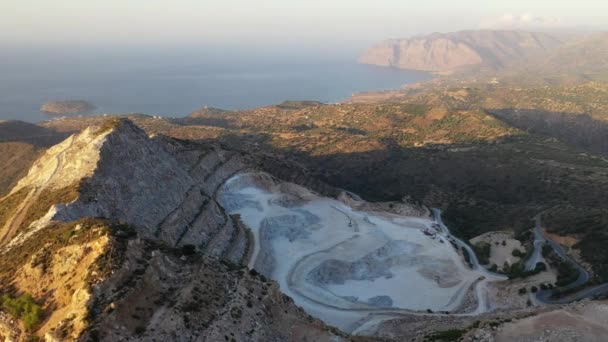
x,y
481,186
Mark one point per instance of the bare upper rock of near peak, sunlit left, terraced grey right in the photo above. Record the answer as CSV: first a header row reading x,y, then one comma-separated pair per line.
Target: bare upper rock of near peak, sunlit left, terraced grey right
x,y
164,189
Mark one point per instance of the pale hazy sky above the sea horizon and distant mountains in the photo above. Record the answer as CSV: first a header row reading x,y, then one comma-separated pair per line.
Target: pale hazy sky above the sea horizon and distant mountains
x,y
272,23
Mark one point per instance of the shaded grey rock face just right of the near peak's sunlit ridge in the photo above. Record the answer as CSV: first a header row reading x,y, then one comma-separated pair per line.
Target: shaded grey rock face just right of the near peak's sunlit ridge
x,y
136,180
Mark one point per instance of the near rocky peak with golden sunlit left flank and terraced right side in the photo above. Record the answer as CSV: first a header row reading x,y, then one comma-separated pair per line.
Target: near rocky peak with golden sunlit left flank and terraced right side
x,y
116,235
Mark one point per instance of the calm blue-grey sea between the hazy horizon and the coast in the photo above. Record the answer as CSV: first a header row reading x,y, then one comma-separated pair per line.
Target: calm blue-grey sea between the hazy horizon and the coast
x,y
176,87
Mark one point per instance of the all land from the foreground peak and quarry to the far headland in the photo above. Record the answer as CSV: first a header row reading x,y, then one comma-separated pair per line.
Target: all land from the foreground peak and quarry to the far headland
x,y
467,208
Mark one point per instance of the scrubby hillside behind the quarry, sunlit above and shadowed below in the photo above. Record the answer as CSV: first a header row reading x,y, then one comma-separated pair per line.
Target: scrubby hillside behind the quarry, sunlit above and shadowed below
x,y
447,148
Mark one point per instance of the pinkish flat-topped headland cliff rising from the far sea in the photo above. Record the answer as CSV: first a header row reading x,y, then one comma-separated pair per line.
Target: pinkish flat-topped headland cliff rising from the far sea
x,y
451,51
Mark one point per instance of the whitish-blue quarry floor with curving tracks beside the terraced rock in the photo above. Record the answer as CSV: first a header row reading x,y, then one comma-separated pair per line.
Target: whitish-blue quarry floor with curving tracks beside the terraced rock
x,y
341,265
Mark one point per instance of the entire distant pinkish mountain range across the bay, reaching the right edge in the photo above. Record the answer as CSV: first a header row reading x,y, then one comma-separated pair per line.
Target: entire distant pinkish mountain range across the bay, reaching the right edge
x,y
484,49
